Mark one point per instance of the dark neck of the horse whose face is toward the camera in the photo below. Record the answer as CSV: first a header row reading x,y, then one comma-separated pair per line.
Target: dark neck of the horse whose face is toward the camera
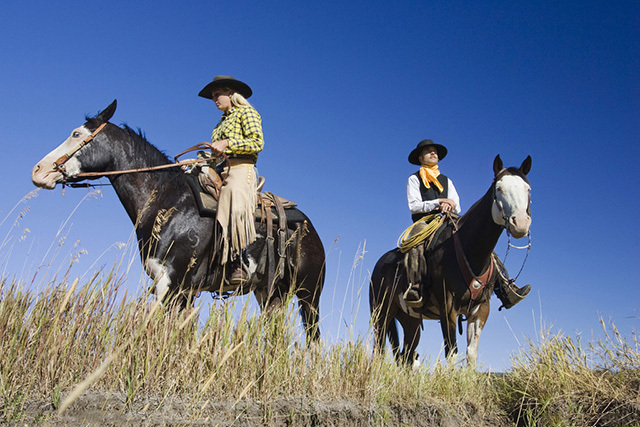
x,y
478,233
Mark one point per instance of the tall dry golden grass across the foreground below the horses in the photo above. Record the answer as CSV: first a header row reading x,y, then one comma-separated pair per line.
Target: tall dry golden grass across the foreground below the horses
x,y
65,335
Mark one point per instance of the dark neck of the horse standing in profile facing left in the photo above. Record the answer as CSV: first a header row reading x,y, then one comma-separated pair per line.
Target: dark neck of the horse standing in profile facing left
x,y
137,191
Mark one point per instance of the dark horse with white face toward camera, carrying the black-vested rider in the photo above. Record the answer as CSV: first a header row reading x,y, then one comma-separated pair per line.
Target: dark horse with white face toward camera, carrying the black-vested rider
x,y
454,290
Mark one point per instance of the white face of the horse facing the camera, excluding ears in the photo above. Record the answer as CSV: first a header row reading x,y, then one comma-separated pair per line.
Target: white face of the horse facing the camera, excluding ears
x,y
510,207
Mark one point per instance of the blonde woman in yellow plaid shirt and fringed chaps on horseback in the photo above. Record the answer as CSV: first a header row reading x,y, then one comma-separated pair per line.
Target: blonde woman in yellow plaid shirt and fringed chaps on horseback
x,y
238,134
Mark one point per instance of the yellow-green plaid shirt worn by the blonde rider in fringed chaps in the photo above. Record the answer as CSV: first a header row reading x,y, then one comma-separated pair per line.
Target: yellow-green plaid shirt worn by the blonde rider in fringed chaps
x,y
242,126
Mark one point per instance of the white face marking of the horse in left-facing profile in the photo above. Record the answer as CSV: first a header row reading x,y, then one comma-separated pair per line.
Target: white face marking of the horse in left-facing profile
x,y
44,174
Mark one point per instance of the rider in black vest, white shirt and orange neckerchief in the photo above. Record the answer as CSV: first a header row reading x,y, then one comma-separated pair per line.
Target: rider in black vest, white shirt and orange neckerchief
x,y
430,191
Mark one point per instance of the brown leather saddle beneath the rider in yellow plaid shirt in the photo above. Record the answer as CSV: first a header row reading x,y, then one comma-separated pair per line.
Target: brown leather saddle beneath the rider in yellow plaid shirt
x,y
205,183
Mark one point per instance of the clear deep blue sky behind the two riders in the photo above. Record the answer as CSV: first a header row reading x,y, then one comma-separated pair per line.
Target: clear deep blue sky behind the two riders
x,y
346,90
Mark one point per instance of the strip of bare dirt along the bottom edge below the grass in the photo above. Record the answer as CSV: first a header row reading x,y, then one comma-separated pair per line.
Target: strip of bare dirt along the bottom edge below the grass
x,y
98,408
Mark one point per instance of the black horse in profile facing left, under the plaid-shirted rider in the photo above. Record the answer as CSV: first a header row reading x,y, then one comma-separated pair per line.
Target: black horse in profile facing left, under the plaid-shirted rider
x,y
176,243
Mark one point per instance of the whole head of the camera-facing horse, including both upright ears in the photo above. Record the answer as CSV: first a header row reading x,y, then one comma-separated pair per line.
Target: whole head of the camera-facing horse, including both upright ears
x,y
512,197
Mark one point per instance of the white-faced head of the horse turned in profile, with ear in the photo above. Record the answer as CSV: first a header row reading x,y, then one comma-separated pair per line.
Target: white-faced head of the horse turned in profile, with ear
x,y
64,162
